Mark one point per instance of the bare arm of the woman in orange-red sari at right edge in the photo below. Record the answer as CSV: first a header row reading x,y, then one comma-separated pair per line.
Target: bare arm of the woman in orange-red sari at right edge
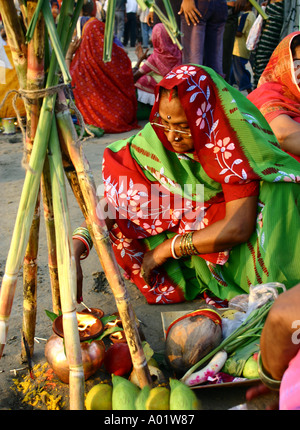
x,y
287,132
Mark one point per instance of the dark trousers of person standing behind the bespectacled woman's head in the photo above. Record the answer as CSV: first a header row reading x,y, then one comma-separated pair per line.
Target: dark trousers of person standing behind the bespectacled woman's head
x,y
203,43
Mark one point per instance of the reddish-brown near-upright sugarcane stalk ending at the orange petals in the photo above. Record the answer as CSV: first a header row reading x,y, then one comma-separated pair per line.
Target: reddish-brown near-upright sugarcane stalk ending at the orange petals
x,y
35,80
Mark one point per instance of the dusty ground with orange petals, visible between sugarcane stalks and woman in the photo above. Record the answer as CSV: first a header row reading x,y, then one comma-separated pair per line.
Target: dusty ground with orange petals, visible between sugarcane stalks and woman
x,y
15,385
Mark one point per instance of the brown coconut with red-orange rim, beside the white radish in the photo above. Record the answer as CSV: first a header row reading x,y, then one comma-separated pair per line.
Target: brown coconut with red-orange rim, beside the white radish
x,y
191,337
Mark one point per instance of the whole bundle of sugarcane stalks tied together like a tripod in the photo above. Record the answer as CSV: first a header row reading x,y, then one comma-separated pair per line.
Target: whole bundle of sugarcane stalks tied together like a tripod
x,y
42,135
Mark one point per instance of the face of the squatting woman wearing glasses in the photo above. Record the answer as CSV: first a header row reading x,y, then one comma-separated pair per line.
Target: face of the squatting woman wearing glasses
x,y
173,118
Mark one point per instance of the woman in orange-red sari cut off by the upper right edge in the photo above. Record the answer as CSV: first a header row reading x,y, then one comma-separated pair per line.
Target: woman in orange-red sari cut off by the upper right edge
x,y
278,94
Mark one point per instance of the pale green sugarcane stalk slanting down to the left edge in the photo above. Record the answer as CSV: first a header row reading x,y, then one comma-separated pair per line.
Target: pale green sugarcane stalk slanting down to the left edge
x,y
30,188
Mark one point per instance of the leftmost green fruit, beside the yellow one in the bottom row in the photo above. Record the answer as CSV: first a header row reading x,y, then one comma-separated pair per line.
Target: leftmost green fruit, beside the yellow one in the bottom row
x,y
124,394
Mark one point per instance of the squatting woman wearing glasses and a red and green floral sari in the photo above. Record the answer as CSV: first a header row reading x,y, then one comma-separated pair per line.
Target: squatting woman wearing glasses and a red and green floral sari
x,y
202,199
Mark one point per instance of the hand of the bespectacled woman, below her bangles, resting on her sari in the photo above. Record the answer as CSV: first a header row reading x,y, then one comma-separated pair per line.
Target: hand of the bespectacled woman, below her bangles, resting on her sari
x,y
154,259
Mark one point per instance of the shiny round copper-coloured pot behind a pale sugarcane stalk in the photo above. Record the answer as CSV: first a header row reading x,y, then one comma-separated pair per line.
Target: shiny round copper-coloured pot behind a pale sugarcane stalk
x,y
92,357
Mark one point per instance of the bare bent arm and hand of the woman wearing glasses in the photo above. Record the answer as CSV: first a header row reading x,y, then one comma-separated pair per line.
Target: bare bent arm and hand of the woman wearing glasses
x,y
235,228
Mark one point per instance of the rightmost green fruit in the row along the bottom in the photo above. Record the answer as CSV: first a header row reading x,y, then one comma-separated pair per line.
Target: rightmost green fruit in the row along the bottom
x,y
182,397
